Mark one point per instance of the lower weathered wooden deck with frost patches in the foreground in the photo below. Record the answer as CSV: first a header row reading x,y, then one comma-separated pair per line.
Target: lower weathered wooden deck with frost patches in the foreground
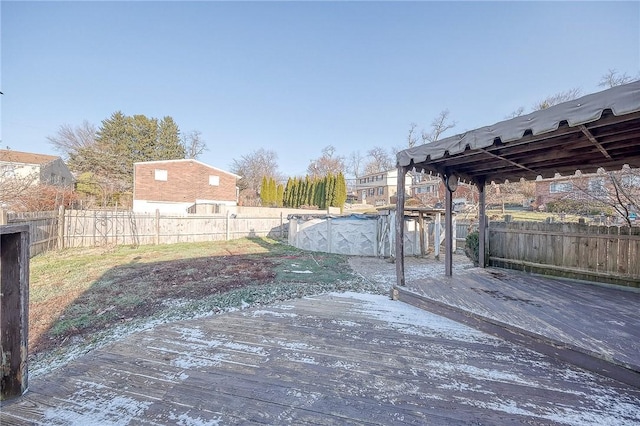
x,y
331,359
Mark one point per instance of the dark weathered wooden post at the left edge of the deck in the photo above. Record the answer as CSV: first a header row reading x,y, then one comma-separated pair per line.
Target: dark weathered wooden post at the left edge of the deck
x,y
14,310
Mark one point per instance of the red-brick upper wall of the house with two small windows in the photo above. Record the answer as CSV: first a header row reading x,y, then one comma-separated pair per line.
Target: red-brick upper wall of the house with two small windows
x,y
187,181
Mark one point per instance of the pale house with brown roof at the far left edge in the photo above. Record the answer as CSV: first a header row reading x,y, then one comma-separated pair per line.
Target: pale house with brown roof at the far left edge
x,y
34,169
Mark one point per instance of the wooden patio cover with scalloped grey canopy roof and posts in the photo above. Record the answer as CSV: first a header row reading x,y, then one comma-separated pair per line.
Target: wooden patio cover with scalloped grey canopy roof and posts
x,y
600,130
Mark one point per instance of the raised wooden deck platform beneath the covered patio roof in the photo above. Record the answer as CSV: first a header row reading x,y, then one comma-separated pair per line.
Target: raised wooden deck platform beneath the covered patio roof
x,y
593,326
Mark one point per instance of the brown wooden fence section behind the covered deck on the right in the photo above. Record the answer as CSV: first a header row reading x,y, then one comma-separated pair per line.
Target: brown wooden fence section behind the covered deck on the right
x,y
607,254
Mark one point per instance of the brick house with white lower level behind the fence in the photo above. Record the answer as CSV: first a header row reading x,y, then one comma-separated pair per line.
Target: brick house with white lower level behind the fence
x,y
181,186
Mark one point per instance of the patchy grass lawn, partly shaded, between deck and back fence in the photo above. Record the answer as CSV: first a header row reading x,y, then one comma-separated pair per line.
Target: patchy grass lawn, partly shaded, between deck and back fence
x,y
81,296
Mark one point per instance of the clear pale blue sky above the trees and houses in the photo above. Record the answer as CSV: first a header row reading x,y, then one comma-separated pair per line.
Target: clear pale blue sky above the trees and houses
x,y
294,77
